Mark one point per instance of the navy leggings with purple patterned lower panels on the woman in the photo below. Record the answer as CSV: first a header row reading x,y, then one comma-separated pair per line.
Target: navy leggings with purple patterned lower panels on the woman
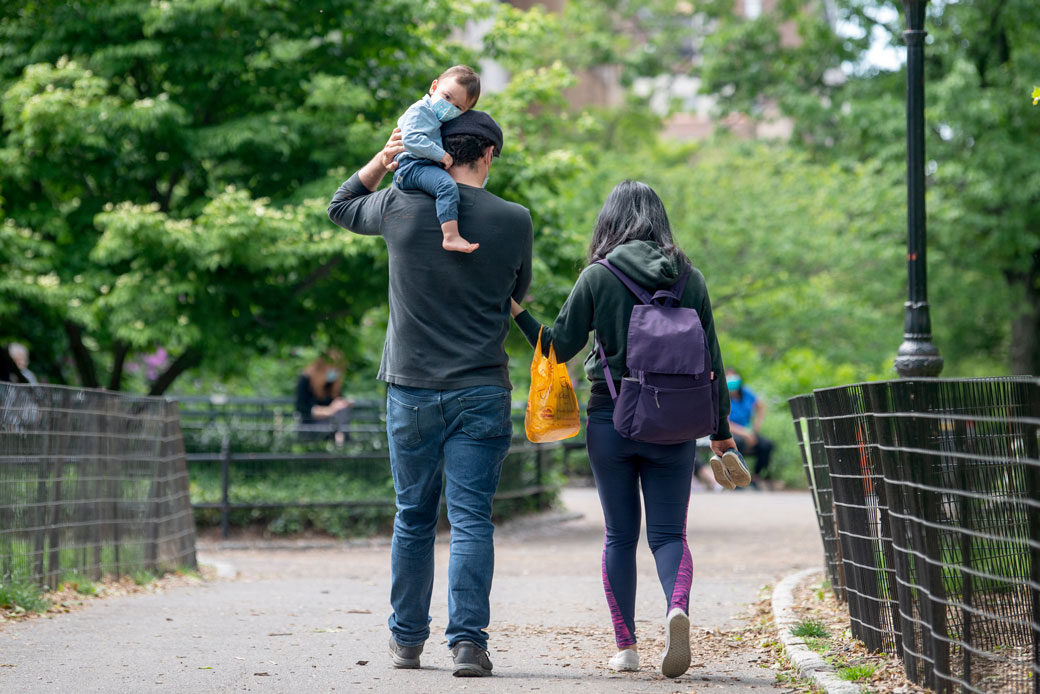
x,y
621,467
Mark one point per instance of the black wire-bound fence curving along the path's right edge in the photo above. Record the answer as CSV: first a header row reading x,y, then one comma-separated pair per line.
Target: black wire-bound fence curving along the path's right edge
x,y
938,506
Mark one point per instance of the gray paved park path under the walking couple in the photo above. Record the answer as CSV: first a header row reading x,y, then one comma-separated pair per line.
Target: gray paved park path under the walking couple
x,y
315,621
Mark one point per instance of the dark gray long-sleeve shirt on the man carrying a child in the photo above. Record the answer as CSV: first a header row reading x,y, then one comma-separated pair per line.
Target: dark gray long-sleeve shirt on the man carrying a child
x,y
450,313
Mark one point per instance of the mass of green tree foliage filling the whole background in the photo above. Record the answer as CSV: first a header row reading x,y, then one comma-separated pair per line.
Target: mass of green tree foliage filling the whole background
x,y
166,166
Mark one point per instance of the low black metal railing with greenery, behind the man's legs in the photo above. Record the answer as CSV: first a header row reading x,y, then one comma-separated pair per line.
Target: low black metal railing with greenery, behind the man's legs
x,y
236,443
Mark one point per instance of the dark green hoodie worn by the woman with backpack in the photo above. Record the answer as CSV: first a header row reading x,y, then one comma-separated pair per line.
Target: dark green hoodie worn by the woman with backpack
x,y
600,302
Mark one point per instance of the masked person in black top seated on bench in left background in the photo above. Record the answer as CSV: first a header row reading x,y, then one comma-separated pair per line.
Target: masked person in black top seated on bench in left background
x,y
320,407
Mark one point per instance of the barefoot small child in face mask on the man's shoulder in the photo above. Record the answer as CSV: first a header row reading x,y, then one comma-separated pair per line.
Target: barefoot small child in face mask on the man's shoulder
x,y
420,166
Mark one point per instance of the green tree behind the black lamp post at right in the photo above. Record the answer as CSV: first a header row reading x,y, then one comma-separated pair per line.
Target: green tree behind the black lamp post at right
x,y
983,199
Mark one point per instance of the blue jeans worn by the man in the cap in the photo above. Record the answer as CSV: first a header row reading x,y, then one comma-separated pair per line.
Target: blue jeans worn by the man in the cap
x,y
462,438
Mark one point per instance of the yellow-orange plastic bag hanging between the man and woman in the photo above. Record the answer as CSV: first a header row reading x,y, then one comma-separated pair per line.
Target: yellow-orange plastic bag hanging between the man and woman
x,y
553,407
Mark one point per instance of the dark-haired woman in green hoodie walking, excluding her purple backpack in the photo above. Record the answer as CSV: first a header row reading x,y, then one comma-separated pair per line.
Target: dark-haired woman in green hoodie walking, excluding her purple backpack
x,y
634,235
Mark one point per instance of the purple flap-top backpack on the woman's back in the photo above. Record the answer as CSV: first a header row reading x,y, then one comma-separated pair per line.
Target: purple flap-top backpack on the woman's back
x,y
670,394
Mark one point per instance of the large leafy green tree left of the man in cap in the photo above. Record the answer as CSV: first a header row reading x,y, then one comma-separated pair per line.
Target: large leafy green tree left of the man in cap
x,y
150,149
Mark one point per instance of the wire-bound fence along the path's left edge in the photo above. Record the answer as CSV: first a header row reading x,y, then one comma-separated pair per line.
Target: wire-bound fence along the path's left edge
x,y
92,484
